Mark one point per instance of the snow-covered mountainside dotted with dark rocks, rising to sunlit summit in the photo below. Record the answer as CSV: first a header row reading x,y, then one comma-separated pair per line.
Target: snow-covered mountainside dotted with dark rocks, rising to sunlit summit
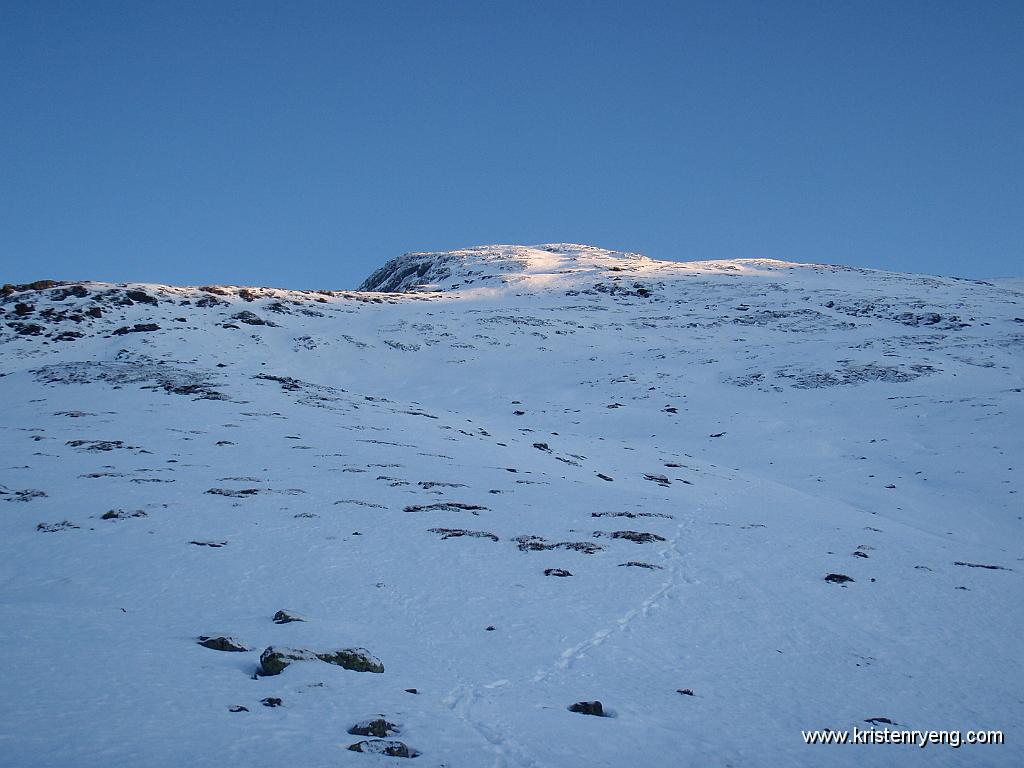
x,y
536,478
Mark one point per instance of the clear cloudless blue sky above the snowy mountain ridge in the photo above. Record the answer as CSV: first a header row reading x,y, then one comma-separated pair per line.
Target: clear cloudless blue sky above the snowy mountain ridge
x,y
304,144
